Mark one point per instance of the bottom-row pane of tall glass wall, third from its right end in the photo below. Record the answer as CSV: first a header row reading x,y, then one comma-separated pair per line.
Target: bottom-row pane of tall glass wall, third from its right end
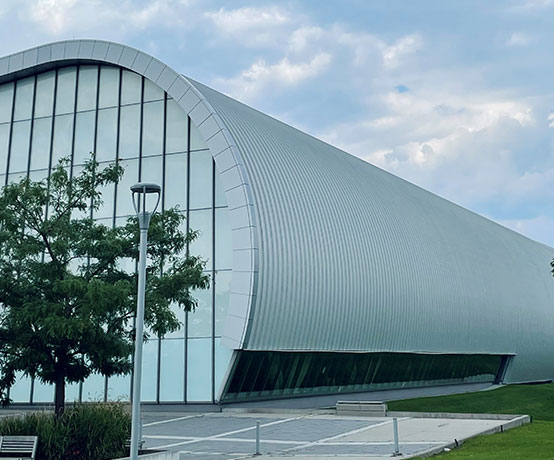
x,y
172,370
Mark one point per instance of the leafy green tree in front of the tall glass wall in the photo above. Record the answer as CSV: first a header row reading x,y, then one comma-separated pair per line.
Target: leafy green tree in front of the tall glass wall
x,y
67,303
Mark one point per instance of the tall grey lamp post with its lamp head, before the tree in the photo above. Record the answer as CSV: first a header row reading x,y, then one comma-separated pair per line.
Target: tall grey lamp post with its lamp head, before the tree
x,y
140,193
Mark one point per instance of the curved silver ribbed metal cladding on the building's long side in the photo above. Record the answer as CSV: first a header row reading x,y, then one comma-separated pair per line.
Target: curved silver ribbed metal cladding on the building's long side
x,y
352,258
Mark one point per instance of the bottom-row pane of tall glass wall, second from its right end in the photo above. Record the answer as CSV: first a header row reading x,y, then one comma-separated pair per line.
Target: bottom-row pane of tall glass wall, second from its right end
x,y
199,370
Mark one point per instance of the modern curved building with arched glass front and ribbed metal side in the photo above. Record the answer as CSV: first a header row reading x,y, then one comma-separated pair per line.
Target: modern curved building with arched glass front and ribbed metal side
x,y
328,274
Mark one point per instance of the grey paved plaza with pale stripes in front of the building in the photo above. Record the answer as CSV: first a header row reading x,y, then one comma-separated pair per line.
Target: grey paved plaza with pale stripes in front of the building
x,y
232,435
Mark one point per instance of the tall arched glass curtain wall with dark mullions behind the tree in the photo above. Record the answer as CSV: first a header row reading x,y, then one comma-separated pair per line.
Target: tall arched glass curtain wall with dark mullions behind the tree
x,y
121,116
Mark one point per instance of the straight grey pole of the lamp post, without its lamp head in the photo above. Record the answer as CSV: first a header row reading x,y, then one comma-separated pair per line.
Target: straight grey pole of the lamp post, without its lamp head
x,y
139,328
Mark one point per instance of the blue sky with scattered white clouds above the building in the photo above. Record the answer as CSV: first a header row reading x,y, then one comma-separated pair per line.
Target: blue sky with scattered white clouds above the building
x,y
454,96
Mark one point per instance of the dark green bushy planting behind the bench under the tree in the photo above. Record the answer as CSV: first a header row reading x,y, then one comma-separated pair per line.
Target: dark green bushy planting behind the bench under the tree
x,y
84,432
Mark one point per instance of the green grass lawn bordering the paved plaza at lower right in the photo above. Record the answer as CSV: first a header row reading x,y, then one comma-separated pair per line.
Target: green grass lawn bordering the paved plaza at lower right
x,y
529,442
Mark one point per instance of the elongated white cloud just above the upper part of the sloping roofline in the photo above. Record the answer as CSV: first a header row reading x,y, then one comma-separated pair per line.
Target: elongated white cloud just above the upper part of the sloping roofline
x,y
260,75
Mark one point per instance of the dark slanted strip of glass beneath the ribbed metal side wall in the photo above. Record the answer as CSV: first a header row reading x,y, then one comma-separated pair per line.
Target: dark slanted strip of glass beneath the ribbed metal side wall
x,y
267,375
